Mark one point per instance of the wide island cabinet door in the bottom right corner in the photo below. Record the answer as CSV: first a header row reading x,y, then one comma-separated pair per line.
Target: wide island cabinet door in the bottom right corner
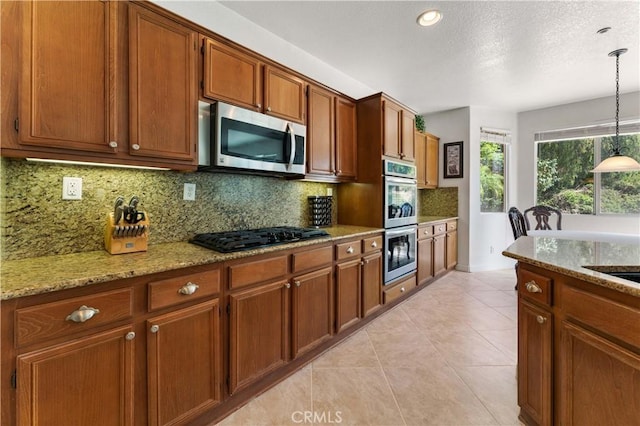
x,y
599,380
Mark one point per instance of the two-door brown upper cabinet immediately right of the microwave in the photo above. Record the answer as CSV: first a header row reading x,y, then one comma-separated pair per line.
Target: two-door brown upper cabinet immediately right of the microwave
x,y
332,150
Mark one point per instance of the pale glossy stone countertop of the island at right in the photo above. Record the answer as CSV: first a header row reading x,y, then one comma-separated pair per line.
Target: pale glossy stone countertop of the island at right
x,y
574,257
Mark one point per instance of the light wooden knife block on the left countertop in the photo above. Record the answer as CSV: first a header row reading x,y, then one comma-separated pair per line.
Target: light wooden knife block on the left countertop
x,y
126,237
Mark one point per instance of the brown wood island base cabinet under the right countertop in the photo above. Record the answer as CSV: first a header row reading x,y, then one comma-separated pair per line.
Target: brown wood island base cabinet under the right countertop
x,y
578,351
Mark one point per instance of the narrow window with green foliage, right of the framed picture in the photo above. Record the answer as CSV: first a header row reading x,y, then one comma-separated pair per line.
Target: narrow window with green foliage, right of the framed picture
x,y
492,177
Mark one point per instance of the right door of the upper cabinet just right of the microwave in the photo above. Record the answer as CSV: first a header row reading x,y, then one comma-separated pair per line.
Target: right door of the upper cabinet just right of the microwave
x,y
346,140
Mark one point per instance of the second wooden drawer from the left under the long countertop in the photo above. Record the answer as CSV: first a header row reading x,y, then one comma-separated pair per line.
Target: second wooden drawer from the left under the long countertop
x,y
174,291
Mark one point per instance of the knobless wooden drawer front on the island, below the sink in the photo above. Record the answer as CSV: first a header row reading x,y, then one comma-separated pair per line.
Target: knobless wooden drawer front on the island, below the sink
x,y
615,319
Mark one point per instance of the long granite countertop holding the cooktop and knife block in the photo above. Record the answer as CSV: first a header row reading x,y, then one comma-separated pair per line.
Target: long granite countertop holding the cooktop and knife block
x,y
26,277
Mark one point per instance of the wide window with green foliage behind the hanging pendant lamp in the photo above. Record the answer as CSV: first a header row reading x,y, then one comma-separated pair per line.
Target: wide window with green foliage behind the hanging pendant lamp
x,y
565,180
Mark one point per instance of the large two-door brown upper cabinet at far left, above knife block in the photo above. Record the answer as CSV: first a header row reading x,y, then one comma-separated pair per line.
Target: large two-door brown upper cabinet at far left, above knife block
x,y
103,97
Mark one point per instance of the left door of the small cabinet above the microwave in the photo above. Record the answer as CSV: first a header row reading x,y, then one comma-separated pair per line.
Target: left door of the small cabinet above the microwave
x,y
231,76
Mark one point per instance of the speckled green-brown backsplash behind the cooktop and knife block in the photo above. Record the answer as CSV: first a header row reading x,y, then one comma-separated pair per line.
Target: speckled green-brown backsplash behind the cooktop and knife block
x,y
35,221
